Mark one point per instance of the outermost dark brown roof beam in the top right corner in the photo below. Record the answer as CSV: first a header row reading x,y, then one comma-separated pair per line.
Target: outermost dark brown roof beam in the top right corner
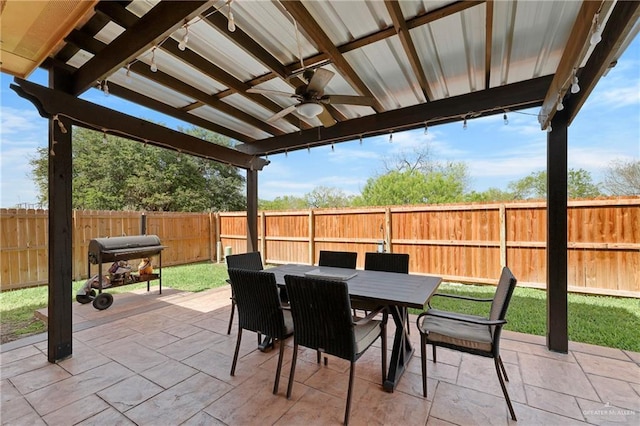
x,y
620,26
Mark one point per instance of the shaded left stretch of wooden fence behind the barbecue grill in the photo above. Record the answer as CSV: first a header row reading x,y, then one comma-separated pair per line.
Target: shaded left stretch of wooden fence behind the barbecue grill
x,y
24,252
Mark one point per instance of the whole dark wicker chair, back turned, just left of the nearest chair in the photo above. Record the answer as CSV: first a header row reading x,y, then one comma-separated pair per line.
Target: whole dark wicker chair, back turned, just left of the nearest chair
x,y
260,311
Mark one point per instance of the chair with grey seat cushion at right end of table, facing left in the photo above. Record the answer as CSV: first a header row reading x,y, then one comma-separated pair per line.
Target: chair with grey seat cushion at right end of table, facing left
x,y
470,333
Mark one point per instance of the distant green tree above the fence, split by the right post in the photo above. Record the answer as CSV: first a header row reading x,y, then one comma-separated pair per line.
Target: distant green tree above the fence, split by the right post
x,y
579,185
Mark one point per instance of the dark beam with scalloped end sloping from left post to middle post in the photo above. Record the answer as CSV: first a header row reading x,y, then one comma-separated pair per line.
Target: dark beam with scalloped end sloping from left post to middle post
x,y
86,114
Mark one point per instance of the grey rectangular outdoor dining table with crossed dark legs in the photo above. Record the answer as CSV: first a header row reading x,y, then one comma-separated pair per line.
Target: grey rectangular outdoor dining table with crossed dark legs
x,y
395,290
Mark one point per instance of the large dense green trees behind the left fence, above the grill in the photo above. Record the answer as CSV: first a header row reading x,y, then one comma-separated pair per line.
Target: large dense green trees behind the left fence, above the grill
x,y
124,174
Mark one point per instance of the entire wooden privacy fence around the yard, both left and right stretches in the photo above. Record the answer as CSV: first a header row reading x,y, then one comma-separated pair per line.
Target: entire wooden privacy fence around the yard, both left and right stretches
x,y
465,243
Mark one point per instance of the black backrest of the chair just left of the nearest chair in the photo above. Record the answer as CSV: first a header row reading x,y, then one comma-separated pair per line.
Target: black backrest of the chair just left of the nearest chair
x,y
257,300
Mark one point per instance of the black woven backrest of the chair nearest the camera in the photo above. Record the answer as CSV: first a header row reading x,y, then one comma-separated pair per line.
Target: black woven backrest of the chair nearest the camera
x,y
321,312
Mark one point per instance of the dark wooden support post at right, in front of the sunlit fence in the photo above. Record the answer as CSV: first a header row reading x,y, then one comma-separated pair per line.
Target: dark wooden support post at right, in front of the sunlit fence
x,y
557,178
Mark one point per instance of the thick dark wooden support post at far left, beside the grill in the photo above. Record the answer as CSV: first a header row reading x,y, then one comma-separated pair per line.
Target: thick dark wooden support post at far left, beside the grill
x,y
60,232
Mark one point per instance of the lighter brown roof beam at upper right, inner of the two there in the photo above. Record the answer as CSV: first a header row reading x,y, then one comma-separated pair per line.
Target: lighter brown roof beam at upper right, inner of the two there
x,y
574,51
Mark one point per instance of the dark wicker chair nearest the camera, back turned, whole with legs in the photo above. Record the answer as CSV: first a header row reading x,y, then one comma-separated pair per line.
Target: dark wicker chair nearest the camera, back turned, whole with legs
x,y
322,320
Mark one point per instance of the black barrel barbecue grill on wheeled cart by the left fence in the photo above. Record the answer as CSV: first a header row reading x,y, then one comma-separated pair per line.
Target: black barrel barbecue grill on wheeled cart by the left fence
x,y
115,250
